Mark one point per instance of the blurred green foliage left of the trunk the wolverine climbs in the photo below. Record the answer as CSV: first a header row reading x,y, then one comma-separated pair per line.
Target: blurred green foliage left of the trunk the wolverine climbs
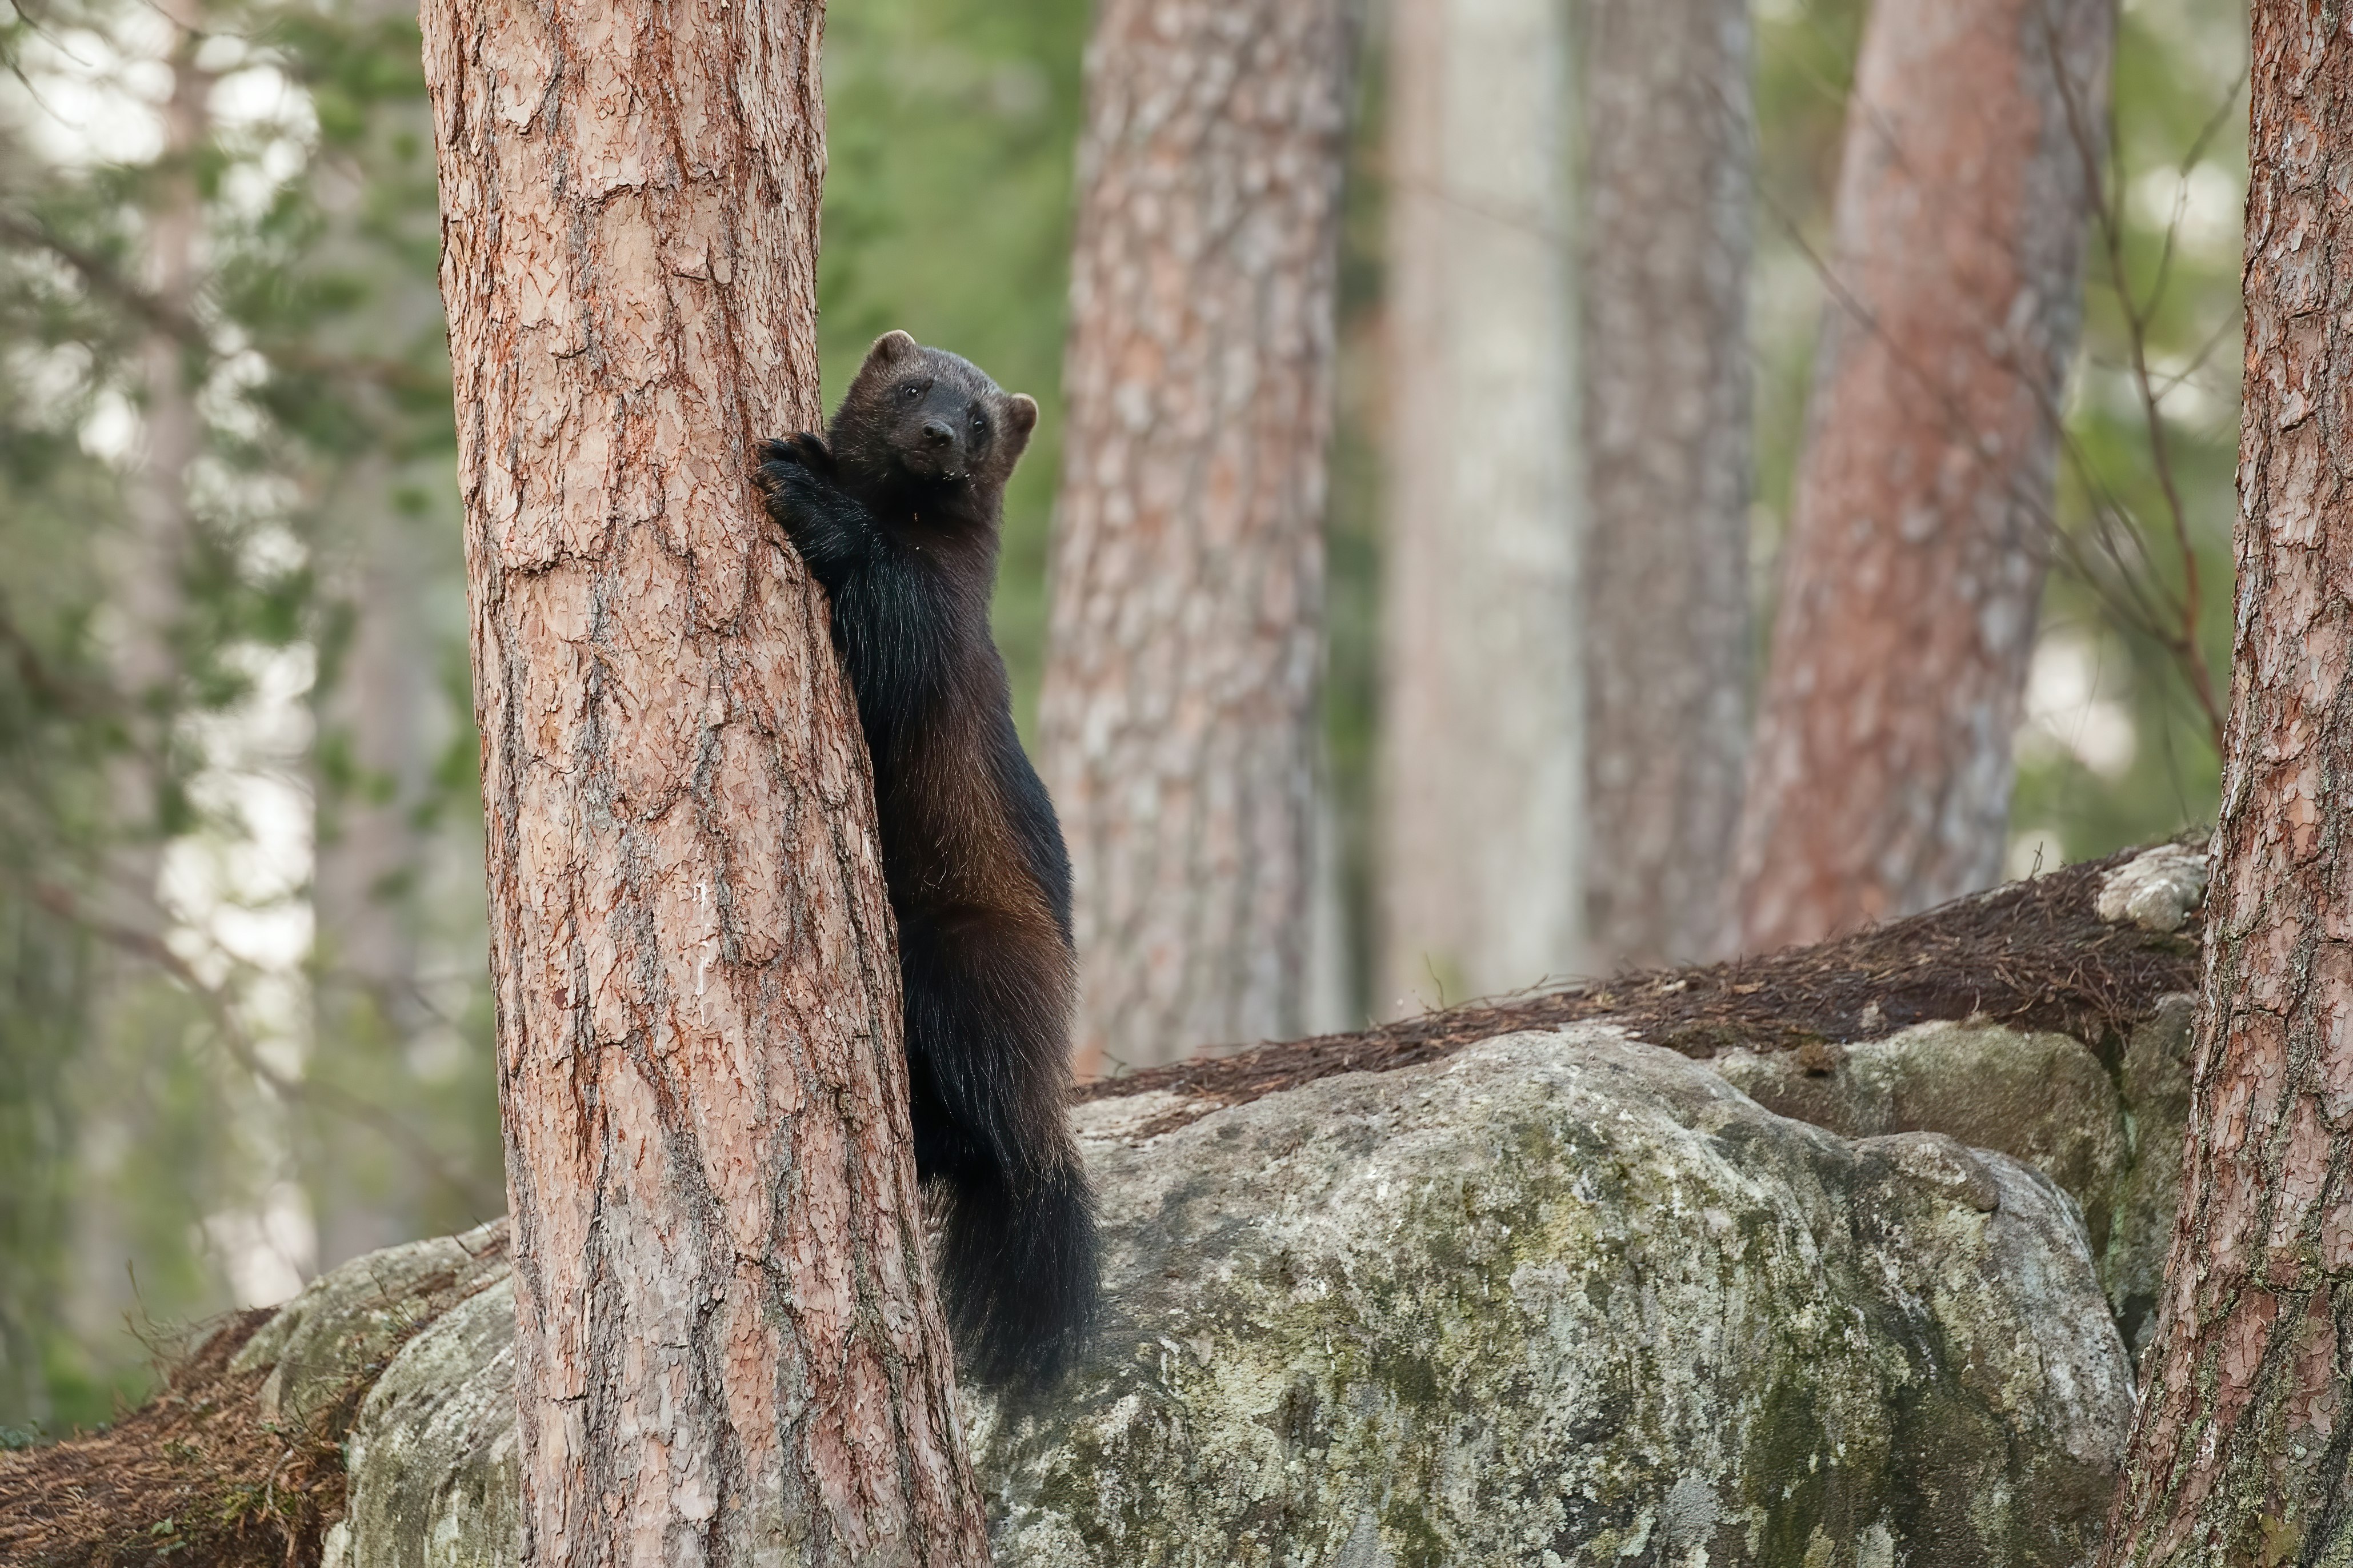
x,y
168,1094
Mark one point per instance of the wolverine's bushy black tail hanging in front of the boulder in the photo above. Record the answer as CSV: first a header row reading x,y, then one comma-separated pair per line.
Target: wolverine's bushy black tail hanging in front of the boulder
x,y
1018,1271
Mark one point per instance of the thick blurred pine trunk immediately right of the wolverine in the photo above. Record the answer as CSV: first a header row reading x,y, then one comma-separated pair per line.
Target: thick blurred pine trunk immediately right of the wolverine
x,y
1187,608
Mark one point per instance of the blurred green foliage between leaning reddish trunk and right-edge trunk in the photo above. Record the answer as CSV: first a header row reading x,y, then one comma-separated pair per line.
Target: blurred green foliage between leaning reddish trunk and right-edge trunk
x,y
2140,756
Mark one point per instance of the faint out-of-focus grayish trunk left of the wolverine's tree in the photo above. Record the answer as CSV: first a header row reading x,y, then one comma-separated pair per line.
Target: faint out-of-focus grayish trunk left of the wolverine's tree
x,y
375,699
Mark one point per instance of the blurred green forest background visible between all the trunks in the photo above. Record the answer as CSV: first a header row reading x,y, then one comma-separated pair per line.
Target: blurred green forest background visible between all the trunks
x,y
244,1012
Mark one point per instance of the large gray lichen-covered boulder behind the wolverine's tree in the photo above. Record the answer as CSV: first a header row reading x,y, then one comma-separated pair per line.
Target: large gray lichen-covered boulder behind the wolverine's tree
x,y
1557,1299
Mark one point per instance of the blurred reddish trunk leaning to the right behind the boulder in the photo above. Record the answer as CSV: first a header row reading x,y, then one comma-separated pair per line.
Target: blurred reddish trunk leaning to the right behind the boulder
x,y
1914,568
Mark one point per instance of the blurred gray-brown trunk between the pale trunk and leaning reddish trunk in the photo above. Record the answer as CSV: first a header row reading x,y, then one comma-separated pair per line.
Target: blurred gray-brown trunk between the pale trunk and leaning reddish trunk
x,y
1665,572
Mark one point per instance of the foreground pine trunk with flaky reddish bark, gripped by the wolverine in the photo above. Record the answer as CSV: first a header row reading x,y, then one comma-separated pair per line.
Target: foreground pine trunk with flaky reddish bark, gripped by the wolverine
x,y
728,1348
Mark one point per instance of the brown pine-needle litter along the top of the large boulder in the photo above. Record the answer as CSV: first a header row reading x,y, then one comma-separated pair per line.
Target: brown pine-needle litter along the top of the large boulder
x,y
2032,953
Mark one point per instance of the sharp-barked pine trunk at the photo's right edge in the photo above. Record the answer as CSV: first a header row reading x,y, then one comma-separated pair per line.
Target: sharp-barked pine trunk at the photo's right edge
x,y
2239,1454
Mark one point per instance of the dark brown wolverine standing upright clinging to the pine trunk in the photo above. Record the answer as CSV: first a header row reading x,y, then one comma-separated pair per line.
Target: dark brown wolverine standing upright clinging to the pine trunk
x,y
898,511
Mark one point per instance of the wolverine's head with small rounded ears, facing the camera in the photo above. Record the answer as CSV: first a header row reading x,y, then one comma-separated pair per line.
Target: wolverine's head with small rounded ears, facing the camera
x,y
931,415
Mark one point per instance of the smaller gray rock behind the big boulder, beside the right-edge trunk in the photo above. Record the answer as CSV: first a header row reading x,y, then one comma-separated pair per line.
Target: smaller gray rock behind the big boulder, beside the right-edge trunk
x,y
2109,1137
